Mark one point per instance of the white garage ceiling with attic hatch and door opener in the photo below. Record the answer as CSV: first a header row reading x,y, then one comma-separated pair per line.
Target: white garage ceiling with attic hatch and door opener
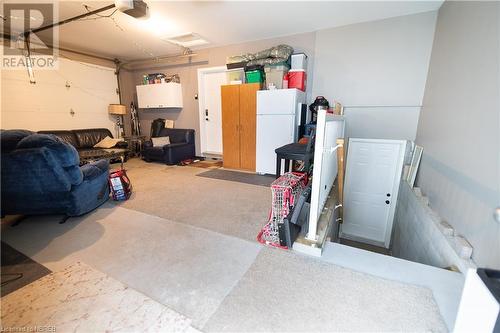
x,y
219,23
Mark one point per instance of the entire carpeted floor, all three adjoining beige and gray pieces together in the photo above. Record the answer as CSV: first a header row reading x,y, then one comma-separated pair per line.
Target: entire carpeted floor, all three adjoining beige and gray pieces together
x,y
161,243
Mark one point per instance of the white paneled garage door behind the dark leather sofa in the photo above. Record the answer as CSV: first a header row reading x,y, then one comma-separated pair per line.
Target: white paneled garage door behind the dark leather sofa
x,y
46,105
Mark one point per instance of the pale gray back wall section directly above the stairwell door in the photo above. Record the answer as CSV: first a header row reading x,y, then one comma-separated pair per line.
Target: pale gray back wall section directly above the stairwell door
x,y
377,70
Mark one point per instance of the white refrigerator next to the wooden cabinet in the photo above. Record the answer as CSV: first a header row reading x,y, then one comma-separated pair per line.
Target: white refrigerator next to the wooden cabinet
x,y
278,118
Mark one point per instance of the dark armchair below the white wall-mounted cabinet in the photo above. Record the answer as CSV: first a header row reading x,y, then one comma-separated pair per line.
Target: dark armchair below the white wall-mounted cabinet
x,y
181,147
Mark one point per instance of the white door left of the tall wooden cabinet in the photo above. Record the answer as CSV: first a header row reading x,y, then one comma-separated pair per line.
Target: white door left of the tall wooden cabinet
x,y
211,114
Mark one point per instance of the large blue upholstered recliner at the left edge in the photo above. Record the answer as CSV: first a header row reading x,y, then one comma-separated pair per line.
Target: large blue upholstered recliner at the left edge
x,y
41,175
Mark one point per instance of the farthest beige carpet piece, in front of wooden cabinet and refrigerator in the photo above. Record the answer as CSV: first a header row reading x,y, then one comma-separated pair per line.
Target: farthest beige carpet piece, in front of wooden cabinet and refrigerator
x,y
175,193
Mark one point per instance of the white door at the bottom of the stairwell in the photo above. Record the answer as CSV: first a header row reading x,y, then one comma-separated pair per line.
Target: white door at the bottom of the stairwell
x,y
373,173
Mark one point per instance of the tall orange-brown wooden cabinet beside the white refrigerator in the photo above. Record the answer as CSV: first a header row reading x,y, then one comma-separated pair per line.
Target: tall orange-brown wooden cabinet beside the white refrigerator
x,y
239,118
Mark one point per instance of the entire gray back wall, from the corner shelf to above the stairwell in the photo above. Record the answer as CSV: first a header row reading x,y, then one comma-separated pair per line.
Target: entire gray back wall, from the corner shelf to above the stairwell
x,y
379,63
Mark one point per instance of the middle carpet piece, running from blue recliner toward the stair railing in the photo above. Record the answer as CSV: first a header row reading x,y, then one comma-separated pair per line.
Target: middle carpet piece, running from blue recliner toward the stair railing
x,y
186,268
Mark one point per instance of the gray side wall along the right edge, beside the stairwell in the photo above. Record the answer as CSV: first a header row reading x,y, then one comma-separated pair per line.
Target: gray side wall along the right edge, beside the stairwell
x,y
459,125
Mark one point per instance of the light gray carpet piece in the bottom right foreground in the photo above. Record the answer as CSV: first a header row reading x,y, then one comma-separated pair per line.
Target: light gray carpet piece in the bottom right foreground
x,y
287,292
